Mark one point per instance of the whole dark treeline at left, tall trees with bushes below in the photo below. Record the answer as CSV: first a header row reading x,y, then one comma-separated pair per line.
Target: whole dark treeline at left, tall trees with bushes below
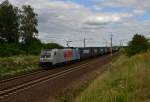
x,y
18,31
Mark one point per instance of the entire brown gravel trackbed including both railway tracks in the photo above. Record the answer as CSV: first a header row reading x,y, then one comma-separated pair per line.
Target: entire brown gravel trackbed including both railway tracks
x,y
38,87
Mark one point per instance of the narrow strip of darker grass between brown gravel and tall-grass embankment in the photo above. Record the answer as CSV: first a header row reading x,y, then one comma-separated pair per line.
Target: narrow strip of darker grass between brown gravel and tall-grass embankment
x,y
74,89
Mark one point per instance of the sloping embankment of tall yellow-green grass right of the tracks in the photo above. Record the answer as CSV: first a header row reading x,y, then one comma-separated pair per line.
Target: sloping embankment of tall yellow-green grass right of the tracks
x,y
127,80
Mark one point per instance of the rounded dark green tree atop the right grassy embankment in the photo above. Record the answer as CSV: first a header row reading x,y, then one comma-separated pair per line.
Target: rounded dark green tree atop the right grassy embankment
x,y
138,44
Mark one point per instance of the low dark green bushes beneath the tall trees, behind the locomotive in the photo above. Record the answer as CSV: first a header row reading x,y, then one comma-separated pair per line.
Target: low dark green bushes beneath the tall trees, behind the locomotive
x,y
7,49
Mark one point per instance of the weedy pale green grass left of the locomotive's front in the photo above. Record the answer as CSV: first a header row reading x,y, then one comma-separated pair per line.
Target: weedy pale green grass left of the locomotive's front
x,y
12,66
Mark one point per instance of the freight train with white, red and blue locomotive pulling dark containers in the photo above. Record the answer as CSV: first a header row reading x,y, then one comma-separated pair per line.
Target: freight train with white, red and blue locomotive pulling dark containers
x,y
51,57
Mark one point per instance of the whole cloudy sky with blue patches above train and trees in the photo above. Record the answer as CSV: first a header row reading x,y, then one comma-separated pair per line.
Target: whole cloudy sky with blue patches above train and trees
x,y
94,20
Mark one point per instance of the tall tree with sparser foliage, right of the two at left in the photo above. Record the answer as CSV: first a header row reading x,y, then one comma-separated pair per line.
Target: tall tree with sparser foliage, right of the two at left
x,y
29,24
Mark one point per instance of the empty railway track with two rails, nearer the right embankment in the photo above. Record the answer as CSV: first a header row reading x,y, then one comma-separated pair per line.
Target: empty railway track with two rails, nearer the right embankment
x,y
21,87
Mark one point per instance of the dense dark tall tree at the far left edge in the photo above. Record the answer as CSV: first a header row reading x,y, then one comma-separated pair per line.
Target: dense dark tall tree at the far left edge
x,y
9,25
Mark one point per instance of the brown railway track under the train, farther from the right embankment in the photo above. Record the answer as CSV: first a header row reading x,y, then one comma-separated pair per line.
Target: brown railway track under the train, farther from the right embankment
x,y
14,81
